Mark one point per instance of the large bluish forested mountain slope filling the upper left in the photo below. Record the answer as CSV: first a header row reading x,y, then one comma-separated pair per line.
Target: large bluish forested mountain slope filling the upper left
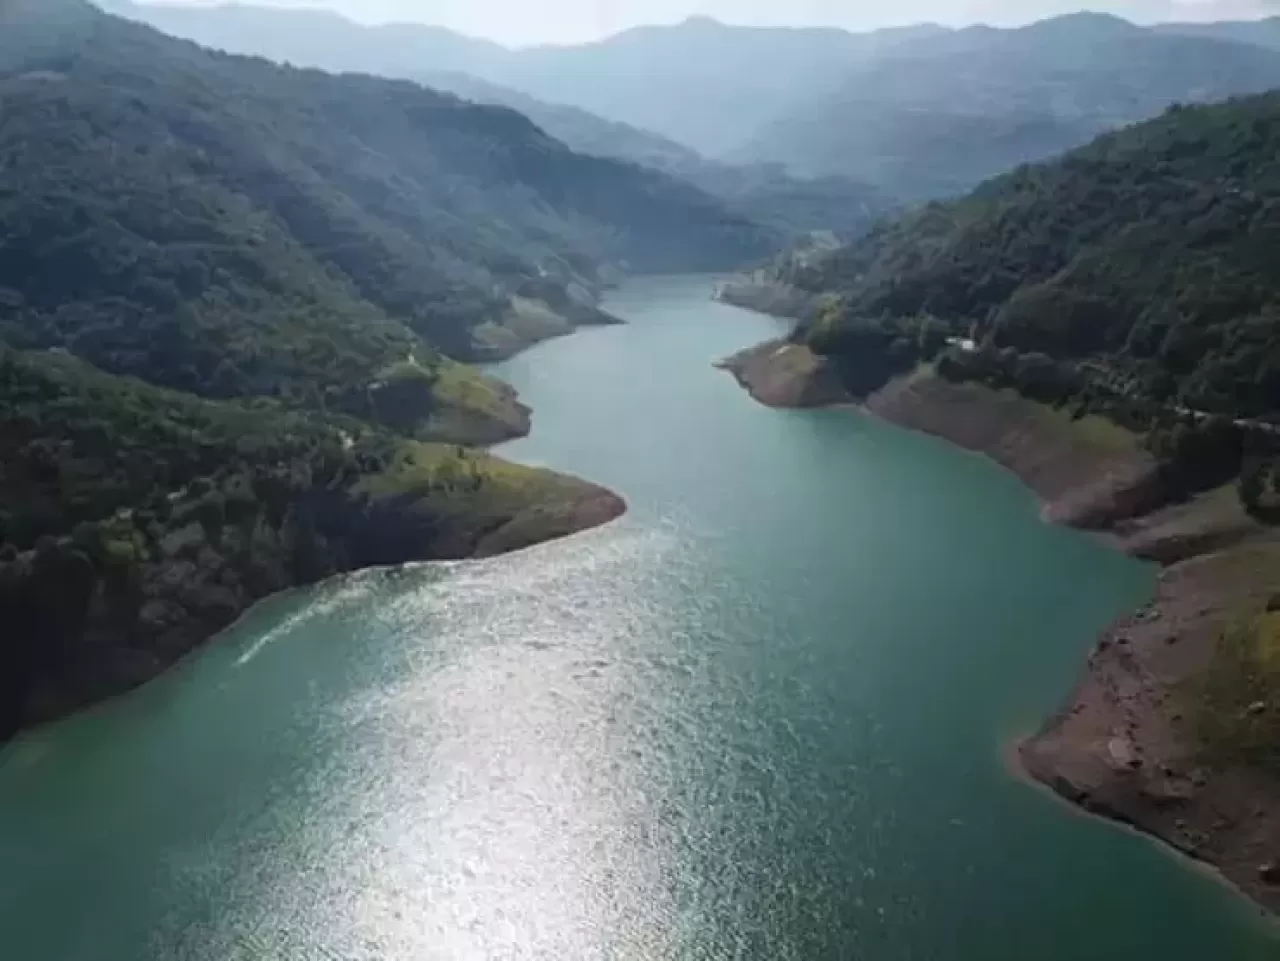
x,y
231,227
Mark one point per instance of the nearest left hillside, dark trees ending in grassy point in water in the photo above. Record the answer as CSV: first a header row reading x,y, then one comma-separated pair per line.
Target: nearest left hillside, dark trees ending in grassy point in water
x,y
136,521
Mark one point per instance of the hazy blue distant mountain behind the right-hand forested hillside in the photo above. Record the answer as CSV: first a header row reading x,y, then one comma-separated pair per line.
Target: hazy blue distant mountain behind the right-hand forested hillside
x,y
939,116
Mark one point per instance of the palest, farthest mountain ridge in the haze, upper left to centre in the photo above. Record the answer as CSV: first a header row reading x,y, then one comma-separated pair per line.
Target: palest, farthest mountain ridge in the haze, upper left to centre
x,y
701,84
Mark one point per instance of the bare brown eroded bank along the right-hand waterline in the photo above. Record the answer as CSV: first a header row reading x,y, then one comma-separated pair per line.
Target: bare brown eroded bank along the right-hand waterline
x,y
1126,745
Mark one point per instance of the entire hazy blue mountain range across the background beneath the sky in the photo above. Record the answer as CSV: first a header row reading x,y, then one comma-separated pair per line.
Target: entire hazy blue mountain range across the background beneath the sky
x,y
701,98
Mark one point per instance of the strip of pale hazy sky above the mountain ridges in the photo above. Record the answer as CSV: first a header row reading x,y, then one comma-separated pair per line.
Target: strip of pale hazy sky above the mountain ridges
x,y
519,22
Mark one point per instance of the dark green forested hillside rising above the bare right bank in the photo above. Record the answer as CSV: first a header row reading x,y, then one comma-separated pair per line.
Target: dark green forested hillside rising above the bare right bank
x,y
1145,267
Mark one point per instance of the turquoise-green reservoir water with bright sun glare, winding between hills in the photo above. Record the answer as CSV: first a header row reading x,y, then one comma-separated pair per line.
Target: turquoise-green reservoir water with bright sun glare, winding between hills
x,y
761,717
